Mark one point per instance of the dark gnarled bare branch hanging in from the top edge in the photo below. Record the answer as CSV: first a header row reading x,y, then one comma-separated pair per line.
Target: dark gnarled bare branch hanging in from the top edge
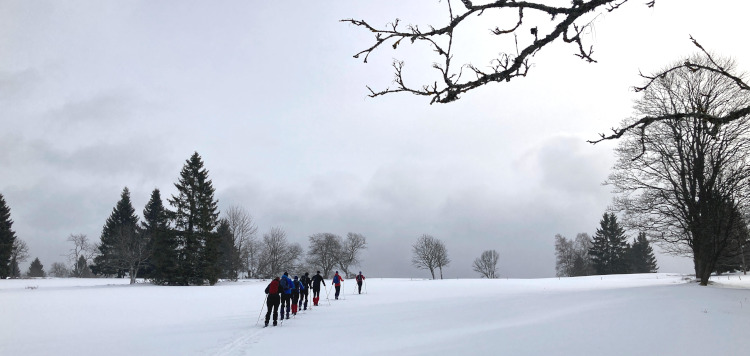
x,y
567,23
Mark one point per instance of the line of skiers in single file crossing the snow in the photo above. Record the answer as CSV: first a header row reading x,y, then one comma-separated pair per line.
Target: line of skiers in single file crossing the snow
x,y
292,294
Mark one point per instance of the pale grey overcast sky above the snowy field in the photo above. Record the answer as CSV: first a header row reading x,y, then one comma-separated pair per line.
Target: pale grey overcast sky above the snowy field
x,y
99,95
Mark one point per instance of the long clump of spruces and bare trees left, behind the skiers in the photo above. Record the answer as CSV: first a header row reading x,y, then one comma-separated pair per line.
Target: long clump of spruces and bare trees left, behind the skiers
x,y
191,245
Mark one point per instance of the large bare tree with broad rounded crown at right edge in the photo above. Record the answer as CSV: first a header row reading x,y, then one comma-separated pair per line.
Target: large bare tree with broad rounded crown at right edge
x,y
684,179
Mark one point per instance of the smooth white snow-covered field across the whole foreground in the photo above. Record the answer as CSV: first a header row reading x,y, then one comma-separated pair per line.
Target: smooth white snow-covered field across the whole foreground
x,y
647,314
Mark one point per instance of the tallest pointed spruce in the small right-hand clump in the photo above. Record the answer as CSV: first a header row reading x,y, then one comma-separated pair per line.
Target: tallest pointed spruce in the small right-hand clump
x,y
609,251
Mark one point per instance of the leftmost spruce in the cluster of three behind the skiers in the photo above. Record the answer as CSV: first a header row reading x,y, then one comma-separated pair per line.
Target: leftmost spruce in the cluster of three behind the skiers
x,y
121,224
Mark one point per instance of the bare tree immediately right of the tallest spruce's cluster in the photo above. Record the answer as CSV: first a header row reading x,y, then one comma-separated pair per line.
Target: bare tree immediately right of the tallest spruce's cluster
x,y
244,233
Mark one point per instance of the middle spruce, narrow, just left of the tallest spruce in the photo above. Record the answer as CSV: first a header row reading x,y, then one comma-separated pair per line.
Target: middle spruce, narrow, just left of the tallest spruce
x,y
162,266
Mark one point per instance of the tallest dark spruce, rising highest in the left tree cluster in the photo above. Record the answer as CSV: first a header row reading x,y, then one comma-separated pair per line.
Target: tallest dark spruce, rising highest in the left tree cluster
x,y
195,218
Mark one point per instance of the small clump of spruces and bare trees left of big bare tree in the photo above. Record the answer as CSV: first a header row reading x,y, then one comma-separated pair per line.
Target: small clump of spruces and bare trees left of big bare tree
x,y
607,253
